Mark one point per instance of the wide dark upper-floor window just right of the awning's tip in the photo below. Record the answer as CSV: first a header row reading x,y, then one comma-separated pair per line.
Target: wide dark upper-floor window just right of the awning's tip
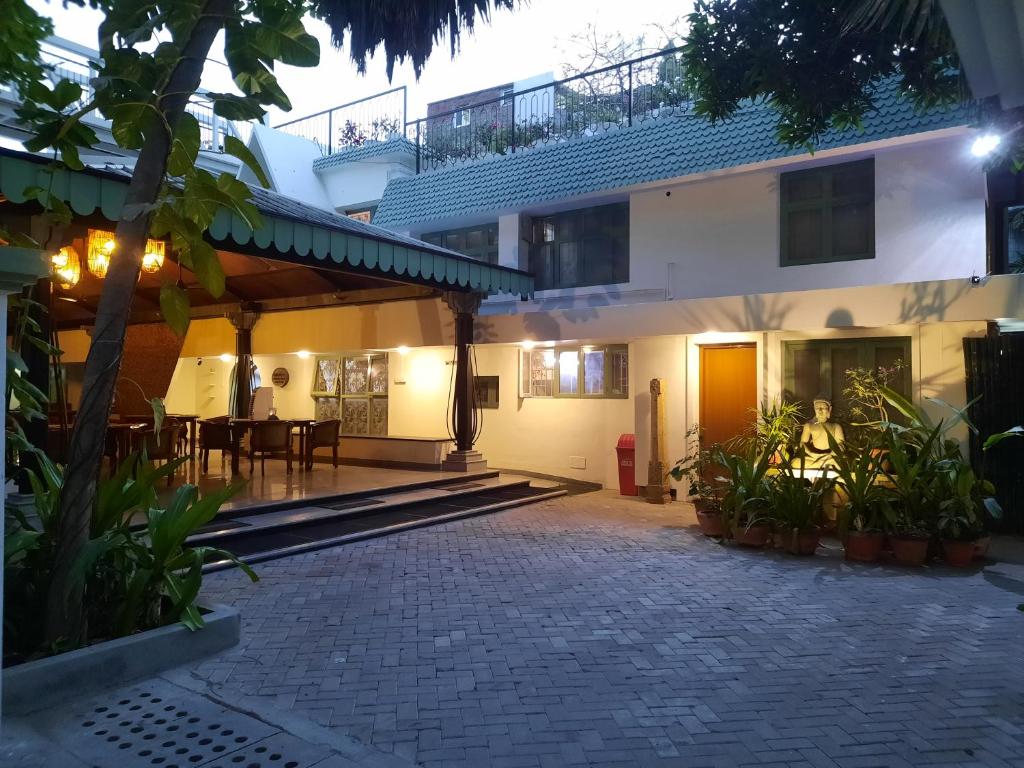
x,y
589,247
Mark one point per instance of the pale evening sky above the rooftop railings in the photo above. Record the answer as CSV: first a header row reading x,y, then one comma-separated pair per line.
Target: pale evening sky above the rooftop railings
x,y
532,40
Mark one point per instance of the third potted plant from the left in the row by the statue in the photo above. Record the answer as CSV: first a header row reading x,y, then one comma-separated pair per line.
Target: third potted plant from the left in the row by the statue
x,y
796,508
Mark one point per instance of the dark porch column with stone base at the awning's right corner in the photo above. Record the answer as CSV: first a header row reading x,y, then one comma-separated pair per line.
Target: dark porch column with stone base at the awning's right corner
x,y
463,459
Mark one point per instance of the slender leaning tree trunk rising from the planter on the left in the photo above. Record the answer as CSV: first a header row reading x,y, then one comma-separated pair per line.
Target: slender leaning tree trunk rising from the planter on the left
x,y
65,619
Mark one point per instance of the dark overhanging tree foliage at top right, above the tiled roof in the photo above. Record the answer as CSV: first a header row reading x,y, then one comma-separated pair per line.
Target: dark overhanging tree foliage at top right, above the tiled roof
x,y
816,63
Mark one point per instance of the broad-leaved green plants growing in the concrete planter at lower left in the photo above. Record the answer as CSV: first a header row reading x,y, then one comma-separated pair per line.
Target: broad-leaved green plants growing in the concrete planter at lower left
x,y
134,578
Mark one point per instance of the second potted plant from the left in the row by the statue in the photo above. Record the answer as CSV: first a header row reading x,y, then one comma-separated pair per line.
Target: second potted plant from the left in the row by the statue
x,y
745,503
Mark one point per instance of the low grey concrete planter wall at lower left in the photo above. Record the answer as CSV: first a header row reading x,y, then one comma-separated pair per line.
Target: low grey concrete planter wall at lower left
x,y
37,686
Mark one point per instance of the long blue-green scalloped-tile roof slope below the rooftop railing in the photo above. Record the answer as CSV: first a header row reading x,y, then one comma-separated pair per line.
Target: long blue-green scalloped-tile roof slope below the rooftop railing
x,y
654,151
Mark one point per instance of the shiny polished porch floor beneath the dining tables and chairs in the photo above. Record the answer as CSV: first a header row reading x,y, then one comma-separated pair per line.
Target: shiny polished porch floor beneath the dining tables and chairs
x,y
278,486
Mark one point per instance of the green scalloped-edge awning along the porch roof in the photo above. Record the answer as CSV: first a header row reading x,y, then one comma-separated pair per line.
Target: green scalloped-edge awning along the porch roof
x,y
291,232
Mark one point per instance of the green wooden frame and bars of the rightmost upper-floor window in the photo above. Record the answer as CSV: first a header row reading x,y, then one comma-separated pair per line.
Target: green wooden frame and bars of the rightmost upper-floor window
x,y
826,204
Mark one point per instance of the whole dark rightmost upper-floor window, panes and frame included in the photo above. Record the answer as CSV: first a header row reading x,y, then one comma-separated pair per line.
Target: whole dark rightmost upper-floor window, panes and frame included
x,y
828,215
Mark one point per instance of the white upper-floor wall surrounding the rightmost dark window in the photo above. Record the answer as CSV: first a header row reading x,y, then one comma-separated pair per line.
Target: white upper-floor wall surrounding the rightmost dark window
x,y
723,234
